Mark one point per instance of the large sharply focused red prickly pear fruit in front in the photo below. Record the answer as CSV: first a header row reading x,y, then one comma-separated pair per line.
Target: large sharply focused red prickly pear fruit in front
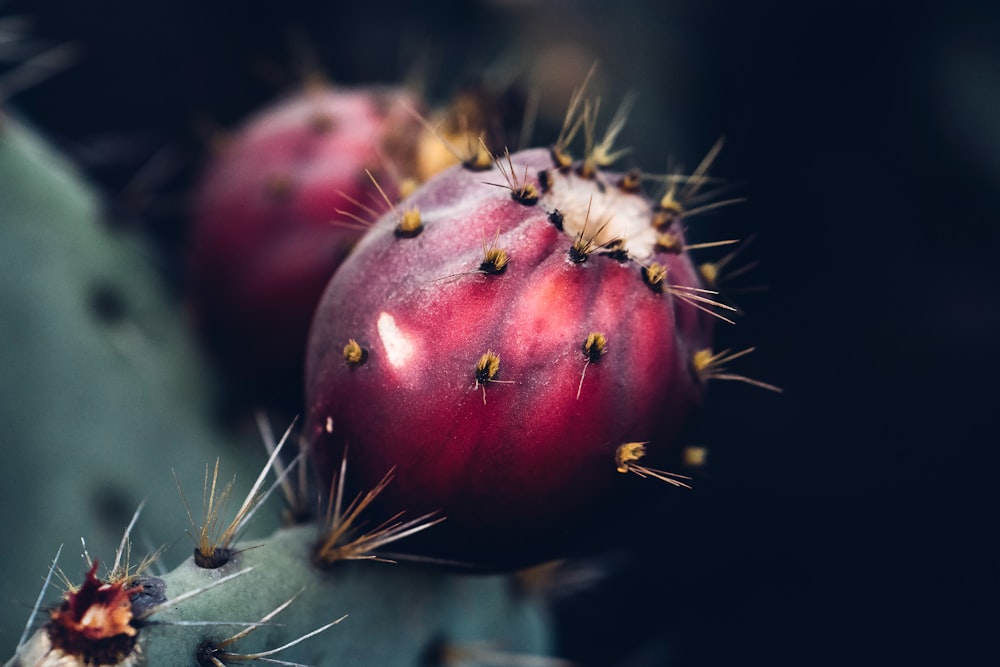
x,y
520,464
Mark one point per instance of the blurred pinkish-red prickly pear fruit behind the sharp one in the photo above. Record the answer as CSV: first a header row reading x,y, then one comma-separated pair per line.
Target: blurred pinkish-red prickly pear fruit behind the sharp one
x,y
267,234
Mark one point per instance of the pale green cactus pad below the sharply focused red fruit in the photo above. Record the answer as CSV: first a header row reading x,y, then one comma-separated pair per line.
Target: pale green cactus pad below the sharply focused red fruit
x,y
396,615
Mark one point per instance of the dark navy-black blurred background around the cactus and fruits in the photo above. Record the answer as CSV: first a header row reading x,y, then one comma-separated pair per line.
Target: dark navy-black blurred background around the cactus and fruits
x,y
844,521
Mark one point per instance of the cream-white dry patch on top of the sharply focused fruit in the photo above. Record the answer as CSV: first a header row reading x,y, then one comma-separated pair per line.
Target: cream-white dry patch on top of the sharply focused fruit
x,y
613,214
